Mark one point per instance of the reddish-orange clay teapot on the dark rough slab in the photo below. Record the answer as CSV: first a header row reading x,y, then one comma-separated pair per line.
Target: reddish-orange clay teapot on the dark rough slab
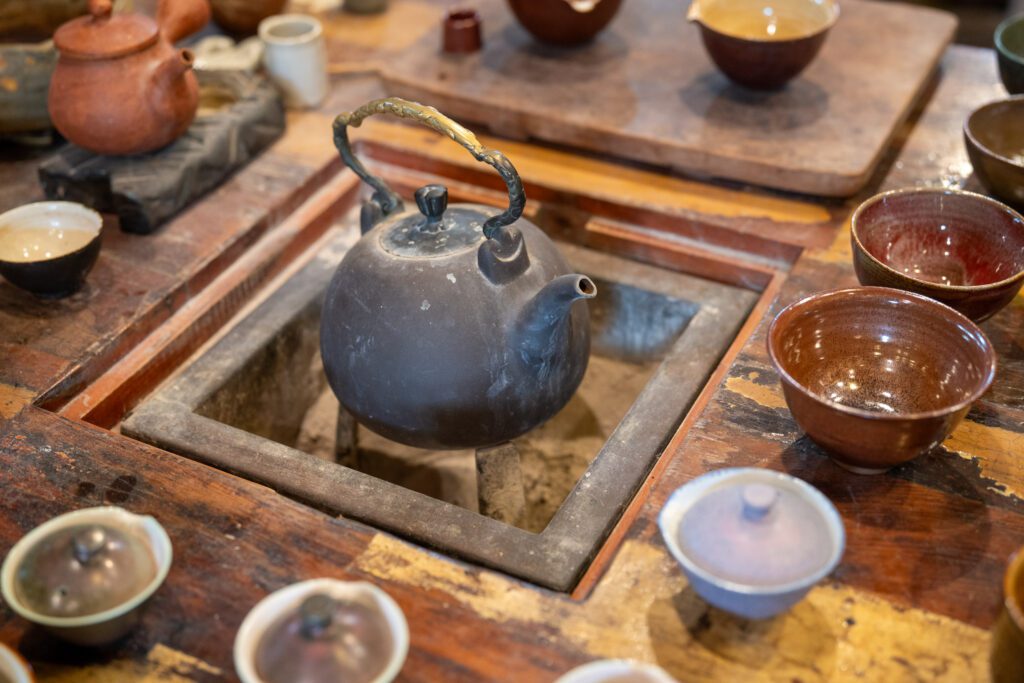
x,y
120,87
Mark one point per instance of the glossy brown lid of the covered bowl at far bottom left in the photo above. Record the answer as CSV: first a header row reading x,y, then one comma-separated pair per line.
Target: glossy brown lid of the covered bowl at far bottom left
x,y
83,570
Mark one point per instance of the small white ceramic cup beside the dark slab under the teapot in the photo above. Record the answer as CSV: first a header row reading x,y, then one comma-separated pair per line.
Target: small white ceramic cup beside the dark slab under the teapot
x,y
295,57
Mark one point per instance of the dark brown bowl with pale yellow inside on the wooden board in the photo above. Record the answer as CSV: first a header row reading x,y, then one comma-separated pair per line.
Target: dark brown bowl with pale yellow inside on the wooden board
x,y
763,45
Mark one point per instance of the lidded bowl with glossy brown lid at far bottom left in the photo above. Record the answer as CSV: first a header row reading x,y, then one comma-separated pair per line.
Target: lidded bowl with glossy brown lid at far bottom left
x,y
86,576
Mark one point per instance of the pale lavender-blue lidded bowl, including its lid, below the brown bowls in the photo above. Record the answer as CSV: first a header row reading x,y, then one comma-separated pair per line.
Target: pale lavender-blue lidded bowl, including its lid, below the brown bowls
x,y
752,542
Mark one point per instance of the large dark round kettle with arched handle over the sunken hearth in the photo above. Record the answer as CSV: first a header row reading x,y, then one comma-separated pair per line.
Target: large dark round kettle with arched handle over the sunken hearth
x,y
451,327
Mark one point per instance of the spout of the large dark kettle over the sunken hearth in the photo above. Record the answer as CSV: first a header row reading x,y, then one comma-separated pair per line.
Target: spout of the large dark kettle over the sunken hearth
x,y
544,323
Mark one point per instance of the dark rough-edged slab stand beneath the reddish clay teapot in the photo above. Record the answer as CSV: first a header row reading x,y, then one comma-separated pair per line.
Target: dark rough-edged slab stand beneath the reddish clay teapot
x,y
146,191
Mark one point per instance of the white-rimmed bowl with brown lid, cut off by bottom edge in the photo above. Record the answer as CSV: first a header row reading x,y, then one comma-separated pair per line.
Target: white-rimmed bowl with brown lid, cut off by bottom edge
x,y
322,631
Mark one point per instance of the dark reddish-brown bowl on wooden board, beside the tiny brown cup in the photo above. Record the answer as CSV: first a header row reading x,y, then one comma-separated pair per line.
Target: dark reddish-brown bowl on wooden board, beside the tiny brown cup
x,y
565,23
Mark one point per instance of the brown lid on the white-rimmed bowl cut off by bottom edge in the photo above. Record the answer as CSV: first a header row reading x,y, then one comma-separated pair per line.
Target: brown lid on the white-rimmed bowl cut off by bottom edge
x,y
325,641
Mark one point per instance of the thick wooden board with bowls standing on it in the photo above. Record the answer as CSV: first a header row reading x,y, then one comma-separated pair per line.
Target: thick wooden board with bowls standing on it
x,y
647,91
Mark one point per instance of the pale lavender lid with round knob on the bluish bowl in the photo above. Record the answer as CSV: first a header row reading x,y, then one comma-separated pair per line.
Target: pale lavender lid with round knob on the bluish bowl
x,y
753,532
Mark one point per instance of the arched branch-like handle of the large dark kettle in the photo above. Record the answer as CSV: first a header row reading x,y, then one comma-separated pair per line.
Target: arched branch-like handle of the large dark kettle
x,y
433,118
